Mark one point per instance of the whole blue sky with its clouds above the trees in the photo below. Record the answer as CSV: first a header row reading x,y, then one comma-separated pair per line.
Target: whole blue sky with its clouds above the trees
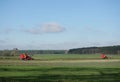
x,y
59,24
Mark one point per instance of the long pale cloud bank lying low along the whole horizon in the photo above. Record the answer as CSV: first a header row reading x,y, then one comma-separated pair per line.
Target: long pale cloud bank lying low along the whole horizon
x,y
55,46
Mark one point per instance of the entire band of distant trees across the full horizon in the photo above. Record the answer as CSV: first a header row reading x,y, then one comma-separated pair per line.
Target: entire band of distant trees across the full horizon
x,y
85,50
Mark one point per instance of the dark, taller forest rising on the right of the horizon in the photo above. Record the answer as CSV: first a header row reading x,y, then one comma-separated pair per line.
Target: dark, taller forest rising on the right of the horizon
x,y
94,50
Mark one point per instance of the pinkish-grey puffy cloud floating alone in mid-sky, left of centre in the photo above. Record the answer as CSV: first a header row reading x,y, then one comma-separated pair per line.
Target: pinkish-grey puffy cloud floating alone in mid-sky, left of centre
x,y
46,28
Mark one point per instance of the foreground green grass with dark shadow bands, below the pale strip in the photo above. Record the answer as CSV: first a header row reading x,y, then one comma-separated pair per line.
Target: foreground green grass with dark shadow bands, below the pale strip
x,y
59,74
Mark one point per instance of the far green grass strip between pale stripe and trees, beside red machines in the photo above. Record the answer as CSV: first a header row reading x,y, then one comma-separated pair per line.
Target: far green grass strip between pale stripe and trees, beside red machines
x,y
63,56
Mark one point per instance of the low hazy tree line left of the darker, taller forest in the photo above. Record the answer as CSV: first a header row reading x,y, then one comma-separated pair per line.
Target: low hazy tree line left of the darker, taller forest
x,y
15,51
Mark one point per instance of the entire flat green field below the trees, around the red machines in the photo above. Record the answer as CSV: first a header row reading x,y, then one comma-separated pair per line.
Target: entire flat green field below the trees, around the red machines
x,y
60,68
